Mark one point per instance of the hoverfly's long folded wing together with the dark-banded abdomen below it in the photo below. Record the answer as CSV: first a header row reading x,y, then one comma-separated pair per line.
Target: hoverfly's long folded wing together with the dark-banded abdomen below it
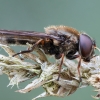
x,y
22,37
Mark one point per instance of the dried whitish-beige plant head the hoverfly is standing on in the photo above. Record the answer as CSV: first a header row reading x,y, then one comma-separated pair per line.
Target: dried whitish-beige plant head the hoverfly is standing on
x,y
46,73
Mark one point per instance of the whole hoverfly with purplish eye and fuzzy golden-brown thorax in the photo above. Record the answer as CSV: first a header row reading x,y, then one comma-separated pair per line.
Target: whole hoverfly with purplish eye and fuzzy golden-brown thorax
x,y
59,41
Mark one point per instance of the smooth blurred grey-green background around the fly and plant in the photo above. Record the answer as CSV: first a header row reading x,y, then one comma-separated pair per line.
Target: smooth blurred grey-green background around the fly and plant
x,y
83,15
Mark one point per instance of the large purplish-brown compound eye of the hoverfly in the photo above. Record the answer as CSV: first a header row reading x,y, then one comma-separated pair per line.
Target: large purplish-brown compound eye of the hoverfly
x,y
85,46
